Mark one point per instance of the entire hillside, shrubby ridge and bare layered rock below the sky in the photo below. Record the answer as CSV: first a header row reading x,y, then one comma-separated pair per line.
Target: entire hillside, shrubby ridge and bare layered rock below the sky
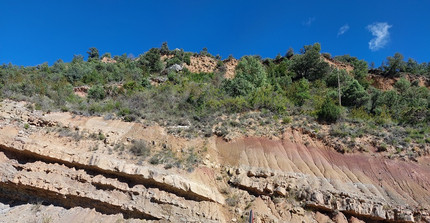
x,y
175,136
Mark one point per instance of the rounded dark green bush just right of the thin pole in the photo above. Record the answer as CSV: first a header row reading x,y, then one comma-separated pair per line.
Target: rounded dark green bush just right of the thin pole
x,y
354,94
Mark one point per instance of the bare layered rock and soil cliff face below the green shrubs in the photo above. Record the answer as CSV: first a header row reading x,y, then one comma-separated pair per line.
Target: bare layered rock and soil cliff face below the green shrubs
x,y
46,176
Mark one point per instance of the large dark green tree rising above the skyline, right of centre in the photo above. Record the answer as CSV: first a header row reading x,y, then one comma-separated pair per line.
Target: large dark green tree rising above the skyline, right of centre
x,y
309,64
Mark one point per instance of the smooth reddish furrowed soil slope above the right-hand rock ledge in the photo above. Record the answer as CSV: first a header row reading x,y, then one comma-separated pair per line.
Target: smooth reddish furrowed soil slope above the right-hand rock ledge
x,y
399,181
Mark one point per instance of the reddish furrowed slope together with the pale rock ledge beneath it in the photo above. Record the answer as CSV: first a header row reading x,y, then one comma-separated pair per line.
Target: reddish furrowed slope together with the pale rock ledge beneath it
x,y
355,184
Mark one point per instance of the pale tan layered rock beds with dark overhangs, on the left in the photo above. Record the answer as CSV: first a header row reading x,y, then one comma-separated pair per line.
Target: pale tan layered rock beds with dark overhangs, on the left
x,y
39,166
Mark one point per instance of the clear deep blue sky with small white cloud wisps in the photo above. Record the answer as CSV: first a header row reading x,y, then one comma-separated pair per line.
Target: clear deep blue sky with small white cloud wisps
x,y
33,32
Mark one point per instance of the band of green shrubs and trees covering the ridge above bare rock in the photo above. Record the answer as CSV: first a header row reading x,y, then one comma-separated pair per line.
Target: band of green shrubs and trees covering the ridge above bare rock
x,y
148,88
